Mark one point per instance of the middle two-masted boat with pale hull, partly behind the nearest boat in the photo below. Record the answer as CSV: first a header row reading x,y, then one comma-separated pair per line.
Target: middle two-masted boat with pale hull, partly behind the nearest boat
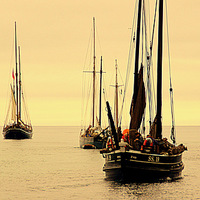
x,y
93,136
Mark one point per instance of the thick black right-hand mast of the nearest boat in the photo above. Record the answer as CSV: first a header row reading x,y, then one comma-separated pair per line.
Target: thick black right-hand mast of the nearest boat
x,y
159,73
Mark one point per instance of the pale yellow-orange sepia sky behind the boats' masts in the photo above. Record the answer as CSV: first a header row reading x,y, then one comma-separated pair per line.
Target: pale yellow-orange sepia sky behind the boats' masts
x,y
54,35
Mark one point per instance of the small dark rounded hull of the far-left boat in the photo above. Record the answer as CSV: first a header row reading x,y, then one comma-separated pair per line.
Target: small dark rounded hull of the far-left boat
x,y
17,133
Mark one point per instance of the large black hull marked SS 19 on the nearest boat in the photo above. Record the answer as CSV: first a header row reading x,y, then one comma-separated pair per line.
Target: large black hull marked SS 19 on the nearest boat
x,y
134,165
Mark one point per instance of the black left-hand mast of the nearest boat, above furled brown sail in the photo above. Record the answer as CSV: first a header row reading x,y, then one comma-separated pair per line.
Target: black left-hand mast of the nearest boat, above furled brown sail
x,y
137,50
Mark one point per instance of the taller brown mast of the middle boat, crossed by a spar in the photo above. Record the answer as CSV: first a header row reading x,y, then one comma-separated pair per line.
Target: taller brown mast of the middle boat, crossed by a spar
x,y
94,73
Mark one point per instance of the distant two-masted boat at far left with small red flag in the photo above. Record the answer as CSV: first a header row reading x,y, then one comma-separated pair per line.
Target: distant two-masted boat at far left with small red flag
x,y
15,127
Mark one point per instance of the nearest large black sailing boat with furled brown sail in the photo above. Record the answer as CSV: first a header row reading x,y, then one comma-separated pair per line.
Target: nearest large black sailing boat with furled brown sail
x,y
151,157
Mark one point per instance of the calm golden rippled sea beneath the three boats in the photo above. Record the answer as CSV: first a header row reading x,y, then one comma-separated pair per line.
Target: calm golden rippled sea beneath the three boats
x,y
52,166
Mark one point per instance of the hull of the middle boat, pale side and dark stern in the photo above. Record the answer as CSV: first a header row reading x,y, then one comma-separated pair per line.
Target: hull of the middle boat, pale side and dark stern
x,y
96,142
